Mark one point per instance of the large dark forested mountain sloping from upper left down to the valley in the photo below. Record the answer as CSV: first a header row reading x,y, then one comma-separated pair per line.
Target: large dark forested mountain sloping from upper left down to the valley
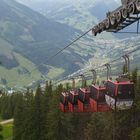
x,y
27,37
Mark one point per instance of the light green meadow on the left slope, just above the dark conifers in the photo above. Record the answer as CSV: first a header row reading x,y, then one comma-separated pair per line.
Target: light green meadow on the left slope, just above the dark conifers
x,y
16,79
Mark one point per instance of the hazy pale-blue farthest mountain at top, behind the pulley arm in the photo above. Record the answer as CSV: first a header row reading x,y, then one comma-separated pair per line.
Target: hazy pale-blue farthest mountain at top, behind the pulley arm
x,y
81,14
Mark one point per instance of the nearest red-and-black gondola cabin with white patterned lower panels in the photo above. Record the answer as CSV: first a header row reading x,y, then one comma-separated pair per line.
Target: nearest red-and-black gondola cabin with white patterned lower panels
x,y
120,94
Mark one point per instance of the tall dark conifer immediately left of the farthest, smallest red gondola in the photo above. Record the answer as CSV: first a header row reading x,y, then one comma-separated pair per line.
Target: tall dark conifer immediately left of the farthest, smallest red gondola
x,y
54,119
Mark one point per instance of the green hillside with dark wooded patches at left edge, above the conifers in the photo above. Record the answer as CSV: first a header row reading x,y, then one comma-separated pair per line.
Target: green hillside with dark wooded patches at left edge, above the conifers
x,y
15,67
